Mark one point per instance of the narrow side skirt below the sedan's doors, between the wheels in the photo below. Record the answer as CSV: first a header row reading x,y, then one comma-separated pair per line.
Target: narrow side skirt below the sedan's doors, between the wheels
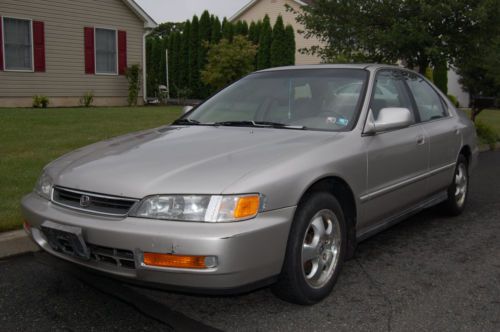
x,y
391,221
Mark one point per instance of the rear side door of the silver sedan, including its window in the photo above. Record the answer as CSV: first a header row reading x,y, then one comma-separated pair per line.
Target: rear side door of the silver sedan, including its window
x,y
441,130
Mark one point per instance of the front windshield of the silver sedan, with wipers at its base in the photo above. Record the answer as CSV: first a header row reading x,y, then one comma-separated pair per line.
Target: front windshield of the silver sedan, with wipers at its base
x,y
323,99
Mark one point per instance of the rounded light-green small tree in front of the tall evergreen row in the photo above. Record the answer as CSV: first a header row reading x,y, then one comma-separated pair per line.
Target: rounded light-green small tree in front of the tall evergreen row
x,y
229,61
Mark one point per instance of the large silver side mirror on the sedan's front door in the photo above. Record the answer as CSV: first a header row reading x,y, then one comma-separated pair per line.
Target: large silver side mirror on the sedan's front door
x,y
389,118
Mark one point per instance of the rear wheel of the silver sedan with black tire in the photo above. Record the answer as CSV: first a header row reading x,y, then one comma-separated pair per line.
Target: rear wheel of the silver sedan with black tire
x,y
458,191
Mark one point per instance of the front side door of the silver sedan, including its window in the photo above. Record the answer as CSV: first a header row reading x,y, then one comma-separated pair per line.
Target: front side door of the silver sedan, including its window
x,y
397,160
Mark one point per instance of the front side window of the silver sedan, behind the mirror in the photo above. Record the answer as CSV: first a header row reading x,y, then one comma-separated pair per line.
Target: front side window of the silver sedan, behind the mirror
x,y
389,91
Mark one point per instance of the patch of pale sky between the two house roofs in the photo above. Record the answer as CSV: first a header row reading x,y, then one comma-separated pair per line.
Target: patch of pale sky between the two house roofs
x,y
181,10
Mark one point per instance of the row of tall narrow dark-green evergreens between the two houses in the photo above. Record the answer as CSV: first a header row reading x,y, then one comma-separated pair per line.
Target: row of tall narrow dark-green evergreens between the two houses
x,y
188,44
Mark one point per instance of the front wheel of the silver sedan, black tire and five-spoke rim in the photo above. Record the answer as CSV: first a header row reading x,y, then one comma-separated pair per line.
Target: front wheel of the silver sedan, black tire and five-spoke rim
x,y
315,251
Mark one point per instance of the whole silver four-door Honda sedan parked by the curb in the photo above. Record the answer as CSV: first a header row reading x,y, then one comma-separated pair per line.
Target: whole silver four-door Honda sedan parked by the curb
x,y
272,181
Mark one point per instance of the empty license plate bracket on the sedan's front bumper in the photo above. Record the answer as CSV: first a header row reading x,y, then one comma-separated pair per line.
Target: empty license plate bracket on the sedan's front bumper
x,y
66,239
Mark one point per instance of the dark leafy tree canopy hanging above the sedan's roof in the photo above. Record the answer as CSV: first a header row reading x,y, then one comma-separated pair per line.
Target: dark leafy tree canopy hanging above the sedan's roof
x,y
418,32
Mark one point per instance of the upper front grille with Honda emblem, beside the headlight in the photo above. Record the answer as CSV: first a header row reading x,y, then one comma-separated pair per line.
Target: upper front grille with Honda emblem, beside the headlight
x,y
91,202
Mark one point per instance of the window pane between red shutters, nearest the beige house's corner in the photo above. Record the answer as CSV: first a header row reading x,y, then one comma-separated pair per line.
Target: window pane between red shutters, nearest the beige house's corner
x,y
105,51
